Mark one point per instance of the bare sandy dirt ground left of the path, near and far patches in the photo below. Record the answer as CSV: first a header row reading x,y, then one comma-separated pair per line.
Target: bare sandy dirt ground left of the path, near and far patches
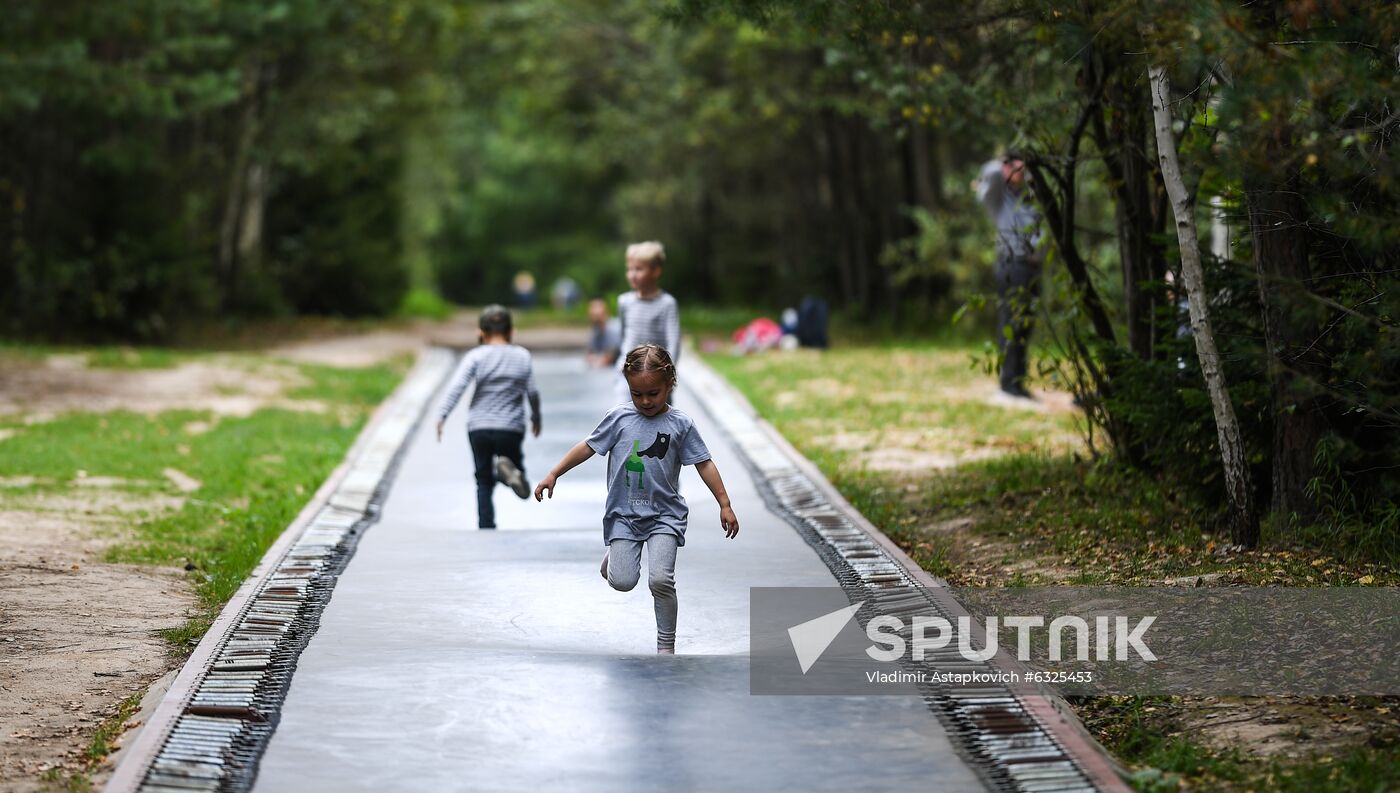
x,y
79,635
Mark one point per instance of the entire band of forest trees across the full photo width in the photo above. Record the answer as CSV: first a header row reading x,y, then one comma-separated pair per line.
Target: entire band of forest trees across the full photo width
x,y
226,158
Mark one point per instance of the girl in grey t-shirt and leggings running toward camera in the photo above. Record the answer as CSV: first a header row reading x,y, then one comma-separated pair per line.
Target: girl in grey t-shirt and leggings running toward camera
x,y
645,504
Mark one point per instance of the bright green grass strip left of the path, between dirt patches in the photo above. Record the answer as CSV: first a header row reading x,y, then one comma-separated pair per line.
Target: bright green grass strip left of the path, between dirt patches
x,y
257,474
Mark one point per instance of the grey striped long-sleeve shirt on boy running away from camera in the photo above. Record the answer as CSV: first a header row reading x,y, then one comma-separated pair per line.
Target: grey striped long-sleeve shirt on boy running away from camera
x,y
505,379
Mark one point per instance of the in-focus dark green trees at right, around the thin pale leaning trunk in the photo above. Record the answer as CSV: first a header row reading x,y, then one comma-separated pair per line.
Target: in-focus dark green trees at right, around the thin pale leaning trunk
x,y
1284,117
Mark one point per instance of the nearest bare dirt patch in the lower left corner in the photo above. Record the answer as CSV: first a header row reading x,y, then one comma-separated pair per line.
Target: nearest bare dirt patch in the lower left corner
x,y
78,635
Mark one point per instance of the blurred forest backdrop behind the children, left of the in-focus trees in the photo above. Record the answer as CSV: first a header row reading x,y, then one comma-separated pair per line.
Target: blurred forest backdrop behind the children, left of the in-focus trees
x,y
163,162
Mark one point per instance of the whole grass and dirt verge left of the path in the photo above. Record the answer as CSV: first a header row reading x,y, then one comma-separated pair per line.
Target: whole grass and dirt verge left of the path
x,y
167,460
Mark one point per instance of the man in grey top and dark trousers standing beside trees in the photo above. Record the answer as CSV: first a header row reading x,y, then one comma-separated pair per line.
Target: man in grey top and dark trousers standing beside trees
x,y
1002,187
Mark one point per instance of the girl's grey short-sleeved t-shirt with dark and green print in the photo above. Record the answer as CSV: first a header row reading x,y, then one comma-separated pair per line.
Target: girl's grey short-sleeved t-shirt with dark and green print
x,y
645,459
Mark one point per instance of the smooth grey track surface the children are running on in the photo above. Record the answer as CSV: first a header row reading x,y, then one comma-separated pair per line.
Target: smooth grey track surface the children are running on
x,y
456,659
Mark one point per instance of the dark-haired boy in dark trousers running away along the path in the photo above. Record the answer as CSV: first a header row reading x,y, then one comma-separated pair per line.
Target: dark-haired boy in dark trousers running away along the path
x,y
496,420
